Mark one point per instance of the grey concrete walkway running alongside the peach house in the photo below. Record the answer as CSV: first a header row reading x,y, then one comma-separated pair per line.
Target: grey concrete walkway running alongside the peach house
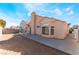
x,y
68,45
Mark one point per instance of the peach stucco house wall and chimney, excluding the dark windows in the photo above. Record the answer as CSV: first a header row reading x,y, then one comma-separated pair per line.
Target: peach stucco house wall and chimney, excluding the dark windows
x,y
60,27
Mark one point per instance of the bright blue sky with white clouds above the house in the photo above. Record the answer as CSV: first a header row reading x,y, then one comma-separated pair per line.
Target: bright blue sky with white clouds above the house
x,y
13,13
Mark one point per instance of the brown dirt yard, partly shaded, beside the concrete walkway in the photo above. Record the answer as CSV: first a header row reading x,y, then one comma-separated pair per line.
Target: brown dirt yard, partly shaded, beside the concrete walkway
x,y
17,45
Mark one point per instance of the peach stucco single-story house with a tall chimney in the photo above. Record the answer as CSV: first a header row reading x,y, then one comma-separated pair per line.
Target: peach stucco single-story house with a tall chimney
x,y
48,27
